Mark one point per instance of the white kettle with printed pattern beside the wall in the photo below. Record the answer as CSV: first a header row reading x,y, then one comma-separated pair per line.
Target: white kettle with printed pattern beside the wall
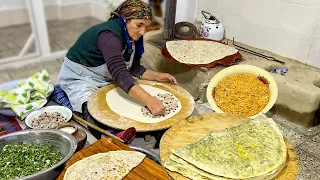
x,y
211,27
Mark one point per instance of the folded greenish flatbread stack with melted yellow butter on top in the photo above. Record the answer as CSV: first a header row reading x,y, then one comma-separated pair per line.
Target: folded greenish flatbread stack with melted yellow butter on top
x,y
255,150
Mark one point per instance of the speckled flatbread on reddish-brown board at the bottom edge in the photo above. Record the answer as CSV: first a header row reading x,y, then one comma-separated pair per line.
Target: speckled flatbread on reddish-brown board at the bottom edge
x,y
113,165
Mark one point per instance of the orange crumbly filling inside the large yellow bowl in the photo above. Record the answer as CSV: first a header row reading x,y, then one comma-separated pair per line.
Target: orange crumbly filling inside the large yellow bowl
x,y
241,94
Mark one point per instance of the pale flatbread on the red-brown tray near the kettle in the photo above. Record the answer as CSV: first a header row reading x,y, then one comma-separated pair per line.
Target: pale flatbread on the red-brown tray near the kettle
x,y
198,52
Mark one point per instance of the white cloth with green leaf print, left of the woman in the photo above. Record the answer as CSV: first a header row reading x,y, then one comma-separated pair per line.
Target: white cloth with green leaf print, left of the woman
x,y
29,95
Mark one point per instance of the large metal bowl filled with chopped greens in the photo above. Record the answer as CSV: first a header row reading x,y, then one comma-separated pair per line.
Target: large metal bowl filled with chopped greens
x,y
35,154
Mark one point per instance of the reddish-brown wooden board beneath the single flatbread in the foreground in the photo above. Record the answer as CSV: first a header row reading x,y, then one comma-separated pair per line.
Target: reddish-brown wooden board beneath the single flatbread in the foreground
x,y
147,169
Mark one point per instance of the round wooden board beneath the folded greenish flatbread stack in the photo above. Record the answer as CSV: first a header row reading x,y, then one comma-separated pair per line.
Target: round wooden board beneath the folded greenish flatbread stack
x,y
196,127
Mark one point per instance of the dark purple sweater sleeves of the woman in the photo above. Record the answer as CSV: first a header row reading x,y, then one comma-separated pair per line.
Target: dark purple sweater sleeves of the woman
x,y
111,49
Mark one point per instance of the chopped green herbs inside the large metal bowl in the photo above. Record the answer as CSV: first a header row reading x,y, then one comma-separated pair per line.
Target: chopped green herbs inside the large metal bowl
x,y
19,160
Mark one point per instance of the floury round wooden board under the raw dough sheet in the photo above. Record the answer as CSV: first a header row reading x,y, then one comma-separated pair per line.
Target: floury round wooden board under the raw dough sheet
x,y
100,110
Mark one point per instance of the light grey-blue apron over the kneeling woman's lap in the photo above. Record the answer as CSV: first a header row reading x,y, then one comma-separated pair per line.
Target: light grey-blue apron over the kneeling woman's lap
x,y
79,81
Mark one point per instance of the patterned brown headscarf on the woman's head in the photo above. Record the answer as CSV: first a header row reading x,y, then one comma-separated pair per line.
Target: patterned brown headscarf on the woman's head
x,y
133,9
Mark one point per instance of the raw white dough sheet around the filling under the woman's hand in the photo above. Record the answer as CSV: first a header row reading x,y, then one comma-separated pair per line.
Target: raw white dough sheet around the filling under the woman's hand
x,y
126,106
